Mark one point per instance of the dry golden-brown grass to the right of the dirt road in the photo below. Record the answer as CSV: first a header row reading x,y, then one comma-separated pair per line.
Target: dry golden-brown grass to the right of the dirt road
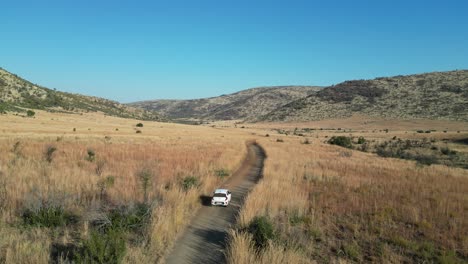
x,y
331,207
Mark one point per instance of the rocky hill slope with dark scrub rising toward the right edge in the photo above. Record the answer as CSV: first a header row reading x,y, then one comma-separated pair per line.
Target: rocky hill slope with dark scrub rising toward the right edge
x,y
438,95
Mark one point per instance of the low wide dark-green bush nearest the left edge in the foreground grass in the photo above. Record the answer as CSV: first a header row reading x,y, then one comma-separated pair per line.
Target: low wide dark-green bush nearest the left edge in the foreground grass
x,y
48,216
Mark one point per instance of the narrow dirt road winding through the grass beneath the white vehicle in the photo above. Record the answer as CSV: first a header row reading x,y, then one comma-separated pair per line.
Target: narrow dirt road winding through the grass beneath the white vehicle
x,y
204,240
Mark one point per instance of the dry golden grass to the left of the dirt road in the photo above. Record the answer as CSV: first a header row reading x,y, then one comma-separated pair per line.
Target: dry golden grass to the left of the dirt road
x,y
170,152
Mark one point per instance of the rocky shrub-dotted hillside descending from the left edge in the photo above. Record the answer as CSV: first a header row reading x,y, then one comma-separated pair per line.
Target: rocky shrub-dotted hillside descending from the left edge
x,y
17,94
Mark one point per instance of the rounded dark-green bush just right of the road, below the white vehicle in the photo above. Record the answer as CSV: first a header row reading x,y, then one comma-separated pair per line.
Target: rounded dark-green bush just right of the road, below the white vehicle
x,y
262,231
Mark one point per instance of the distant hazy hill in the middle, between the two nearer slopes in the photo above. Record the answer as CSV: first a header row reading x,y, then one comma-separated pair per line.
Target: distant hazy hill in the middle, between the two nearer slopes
x,y
247,104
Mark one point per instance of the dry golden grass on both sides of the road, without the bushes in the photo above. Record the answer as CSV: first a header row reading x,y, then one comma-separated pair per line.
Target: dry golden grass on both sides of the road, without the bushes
x,y
328,204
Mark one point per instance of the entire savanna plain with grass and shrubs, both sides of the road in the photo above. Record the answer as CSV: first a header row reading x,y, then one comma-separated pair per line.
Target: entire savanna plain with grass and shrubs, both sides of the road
x,y
83,188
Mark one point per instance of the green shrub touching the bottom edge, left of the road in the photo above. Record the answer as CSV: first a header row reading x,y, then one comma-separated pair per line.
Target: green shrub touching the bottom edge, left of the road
x,y
102,248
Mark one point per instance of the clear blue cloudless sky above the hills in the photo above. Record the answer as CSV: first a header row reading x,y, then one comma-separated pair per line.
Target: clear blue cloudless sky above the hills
x,y
137,50
